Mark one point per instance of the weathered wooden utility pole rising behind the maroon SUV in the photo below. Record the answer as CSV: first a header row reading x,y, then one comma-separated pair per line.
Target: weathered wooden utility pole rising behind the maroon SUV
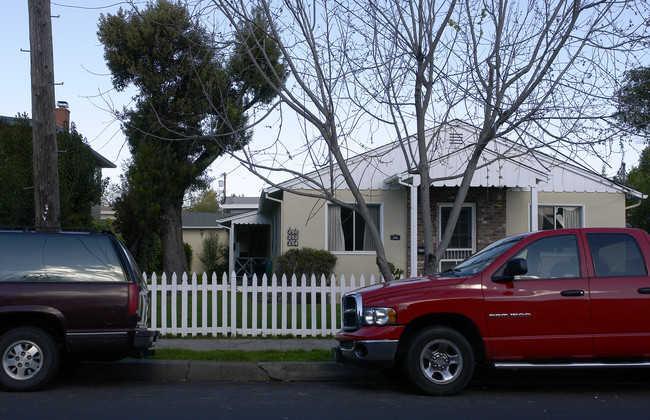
x,y
46,178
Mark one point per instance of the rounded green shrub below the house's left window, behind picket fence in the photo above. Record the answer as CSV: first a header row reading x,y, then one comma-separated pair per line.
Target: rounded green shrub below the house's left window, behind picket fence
x,y
306,261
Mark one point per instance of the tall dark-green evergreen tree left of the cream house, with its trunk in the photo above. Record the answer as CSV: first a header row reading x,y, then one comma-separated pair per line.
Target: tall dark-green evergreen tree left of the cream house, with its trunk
x,y
190,106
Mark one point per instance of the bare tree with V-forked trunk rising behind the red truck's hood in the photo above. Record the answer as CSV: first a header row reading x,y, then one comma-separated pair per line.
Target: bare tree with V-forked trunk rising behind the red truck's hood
x,y
540,72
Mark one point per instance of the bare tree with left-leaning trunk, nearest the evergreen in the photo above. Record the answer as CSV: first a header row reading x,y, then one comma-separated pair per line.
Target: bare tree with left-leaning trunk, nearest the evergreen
x,y
315,43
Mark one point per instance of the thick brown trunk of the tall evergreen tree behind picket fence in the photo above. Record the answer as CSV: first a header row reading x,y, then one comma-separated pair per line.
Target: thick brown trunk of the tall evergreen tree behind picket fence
x,y
174,260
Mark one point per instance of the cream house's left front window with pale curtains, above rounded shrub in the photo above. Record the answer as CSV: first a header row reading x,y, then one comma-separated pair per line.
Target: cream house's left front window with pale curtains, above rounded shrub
x,y
347,231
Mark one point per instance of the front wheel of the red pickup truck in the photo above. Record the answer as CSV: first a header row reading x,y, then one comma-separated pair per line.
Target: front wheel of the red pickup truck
x,y
439,361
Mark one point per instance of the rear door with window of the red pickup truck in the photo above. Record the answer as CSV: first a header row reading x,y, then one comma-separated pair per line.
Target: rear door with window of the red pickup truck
x,y
620,289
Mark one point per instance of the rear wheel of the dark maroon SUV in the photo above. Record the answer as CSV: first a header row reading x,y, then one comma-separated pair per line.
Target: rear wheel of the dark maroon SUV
x,y
30,359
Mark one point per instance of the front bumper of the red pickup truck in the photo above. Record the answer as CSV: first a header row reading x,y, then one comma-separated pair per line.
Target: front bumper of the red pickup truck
x,y
371,353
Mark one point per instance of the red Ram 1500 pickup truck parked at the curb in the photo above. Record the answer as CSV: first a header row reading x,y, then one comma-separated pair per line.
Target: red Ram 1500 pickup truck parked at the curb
x,y
560,298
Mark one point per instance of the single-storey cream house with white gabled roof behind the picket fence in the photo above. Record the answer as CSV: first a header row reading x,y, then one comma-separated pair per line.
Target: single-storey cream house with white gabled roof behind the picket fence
x,y
514,190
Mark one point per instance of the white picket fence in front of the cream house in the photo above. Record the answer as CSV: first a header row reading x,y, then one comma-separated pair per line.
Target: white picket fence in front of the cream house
x,y
247,307
